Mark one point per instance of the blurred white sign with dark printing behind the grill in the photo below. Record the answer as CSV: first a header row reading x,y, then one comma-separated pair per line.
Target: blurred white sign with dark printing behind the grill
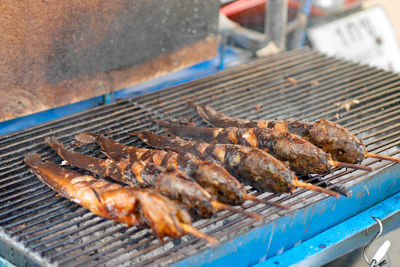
x,y
367,37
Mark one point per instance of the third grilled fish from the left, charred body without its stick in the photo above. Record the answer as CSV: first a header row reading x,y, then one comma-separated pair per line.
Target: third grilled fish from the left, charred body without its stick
x,y
211,176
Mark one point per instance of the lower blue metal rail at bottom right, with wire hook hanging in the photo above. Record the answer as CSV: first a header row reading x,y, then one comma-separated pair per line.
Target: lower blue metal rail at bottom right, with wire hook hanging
x,y
342,238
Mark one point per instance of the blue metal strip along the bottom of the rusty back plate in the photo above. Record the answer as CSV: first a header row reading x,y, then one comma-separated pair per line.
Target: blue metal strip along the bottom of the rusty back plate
x,y
196,71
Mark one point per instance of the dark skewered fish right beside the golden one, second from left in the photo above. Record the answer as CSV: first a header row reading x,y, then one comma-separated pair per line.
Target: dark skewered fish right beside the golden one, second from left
x,y
170,182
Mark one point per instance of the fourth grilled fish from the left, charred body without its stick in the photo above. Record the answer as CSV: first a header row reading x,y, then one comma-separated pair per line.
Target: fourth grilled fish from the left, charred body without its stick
x,y
251,165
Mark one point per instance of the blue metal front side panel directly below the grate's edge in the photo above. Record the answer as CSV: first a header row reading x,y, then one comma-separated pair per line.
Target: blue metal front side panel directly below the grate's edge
x,y
273,238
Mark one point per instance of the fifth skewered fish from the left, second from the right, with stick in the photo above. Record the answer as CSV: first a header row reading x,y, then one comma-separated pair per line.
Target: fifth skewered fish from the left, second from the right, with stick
x,y
303,157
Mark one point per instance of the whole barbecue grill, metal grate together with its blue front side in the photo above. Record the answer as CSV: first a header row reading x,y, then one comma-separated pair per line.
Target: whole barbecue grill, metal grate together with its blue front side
x,y
38,227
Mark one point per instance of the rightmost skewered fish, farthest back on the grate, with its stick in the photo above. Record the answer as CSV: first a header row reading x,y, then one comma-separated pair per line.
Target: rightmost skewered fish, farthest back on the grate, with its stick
x,y
331,137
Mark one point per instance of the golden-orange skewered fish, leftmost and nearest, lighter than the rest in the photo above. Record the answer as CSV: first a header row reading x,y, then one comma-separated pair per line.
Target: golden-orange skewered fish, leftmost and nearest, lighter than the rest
x,y
131,206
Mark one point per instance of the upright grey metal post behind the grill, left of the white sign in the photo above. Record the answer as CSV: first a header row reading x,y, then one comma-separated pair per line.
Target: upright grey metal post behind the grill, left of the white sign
x,y
275,22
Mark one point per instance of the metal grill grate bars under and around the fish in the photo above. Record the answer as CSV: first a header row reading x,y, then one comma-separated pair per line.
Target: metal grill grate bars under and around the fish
x,y
300,84
